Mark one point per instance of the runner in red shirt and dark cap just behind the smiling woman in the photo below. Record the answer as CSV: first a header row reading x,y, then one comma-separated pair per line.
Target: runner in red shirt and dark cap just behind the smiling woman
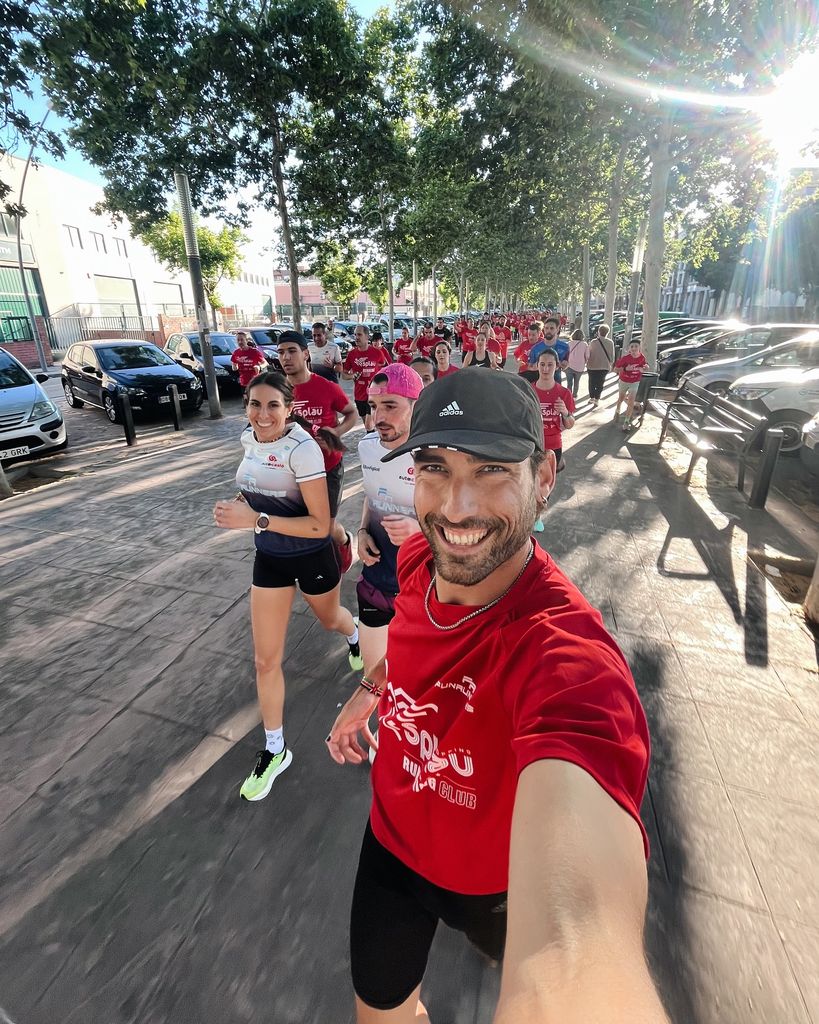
x,y
331,414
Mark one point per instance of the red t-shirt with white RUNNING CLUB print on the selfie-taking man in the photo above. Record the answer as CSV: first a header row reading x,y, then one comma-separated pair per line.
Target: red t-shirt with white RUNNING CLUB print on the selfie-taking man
x,y
537,677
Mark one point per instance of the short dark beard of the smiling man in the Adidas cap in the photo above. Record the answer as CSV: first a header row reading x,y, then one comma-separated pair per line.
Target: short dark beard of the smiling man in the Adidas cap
x,y
468,571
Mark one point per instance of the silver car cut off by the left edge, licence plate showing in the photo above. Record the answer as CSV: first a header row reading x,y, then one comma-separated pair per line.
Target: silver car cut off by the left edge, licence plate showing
x,y
30,423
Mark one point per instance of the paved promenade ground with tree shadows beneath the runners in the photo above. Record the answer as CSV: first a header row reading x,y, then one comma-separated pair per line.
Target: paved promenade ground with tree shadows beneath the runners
x,y
138,888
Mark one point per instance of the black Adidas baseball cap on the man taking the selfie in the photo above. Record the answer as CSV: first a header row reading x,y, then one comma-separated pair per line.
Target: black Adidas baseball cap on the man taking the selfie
x,y
478,411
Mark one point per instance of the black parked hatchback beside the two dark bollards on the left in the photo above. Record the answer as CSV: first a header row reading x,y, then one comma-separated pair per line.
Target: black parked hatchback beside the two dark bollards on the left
x,y
97,373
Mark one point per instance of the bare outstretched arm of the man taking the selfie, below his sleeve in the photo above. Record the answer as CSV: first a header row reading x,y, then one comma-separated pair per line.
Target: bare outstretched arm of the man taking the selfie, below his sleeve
x,y
577,903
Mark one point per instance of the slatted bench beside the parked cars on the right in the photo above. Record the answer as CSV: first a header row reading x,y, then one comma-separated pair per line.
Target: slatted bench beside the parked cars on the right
x,y
705,423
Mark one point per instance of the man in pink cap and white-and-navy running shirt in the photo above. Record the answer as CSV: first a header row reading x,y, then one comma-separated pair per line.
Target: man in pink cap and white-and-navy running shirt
x,y
389,517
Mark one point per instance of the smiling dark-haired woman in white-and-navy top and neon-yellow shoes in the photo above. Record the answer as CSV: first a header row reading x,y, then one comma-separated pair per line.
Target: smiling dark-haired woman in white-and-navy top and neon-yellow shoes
x,y
283,498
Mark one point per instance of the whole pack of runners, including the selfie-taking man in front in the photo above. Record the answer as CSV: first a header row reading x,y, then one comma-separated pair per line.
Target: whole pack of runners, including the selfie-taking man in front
x,y
512,747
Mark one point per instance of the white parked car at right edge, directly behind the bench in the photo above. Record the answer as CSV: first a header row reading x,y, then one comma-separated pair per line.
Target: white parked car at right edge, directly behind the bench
x,y
789,398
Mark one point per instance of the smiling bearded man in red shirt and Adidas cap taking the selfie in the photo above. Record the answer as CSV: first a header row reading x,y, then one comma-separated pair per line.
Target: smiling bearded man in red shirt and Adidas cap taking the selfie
x,y
513,750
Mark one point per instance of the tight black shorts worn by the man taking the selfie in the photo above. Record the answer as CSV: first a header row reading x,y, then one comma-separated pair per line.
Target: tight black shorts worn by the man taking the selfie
x,y
395,916
